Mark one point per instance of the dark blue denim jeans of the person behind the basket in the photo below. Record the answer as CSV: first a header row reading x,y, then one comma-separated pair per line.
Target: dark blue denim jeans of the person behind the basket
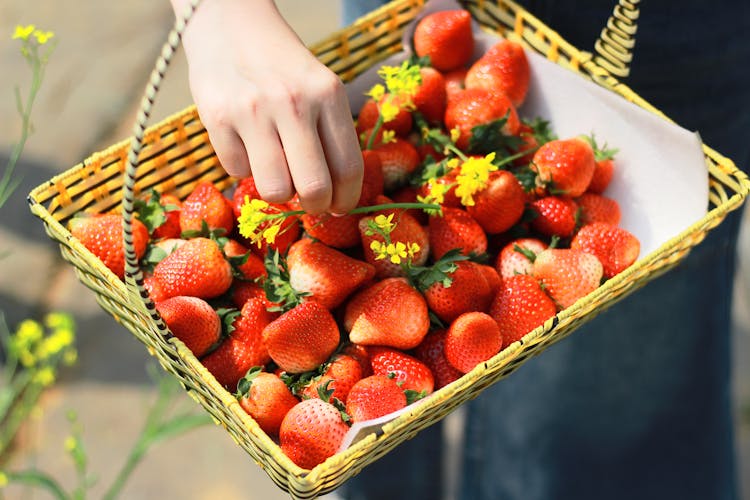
x,y
636,404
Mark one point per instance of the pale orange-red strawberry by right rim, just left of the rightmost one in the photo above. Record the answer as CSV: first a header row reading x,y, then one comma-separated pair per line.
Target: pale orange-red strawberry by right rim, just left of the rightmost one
x,y
567,274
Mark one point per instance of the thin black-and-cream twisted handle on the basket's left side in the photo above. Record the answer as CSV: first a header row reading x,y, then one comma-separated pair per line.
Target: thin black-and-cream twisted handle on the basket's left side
x,y
133,273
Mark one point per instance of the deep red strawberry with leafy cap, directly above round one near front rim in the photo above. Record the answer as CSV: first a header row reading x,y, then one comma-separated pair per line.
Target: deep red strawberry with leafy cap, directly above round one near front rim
x,y
468,291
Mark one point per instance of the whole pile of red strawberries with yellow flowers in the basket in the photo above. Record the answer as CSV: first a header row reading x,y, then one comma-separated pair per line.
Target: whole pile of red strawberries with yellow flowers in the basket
x,y
487,226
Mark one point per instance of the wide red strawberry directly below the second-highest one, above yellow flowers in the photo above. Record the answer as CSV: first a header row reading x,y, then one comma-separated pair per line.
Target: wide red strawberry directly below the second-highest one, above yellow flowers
x,y
478,106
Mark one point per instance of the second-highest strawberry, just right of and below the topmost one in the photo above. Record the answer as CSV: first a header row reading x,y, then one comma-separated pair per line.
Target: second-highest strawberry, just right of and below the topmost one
x,y
503,68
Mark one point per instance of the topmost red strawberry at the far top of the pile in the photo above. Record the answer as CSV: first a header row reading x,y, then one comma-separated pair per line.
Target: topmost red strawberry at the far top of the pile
x,y
445,37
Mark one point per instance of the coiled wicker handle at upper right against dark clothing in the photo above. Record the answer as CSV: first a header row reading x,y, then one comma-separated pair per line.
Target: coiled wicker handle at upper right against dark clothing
x,y
614,47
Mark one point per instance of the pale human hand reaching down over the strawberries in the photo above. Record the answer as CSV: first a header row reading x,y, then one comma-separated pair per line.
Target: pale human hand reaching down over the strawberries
x,y
271,109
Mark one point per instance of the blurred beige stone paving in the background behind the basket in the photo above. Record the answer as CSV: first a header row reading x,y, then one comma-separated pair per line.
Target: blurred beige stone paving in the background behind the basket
x,y
88,99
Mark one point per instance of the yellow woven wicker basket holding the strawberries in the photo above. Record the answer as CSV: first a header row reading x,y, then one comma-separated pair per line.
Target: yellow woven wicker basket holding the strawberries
x,y
176,155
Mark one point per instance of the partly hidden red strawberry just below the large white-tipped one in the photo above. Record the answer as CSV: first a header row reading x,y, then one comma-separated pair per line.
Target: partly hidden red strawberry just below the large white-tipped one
x,y
409,372
